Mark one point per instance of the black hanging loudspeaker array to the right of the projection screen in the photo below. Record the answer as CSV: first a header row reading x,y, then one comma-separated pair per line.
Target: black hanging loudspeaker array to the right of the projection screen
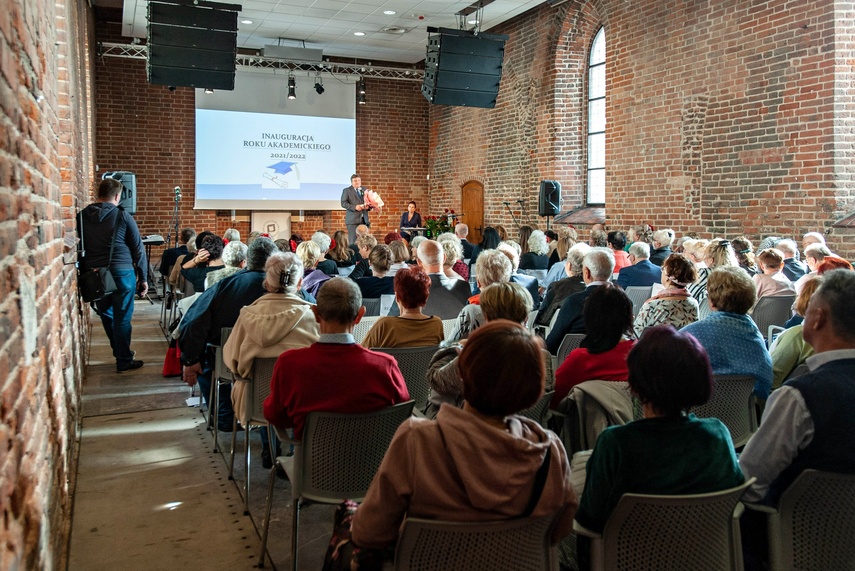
x,y
462,68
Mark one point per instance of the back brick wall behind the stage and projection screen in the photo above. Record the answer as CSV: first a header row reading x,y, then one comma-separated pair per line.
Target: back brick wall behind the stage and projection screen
x,y
150,131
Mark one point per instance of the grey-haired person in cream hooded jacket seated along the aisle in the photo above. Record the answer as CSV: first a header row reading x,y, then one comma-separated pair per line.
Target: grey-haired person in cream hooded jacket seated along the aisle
x,y
274,323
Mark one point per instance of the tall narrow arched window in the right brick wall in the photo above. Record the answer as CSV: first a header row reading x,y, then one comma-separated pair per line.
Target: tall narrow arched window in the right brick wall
x,y
596,181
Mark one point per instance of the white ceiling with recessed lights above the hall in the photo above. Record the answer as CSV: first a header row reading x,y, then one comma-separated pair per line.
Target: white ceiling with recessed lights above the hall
x,y
330,24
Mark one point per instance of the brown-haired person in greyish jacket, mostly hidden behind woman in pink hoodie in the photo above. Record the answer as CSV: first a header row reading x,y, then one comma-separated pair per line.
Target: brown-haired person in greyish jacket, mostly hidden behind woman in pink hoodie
x,y
500,300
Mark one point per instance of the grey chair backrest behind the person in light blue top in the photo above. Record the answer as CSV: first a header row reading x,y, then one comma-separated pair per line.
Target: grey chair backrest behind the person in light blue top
x,y
732,402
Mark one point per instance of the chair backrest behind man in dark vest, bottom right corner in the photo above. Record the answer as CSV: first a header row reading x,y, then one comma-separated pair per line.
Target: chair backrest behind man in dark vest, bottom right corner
x,y
817,516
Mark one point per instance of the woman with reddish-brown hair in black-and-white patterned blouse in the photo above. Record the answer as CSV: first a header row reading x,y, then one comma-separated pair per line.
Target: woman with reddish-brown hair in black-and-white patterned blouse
x,y
674,305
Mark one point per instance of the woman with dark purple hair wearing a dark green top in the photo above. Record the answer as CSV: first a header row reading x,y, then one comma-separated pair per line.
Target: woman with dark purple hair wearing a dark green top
x,y
669,451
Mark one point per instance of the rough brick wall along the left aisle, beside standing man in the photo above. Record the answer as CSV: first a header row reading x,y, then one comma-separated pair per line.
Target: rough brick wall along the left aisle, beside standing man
x,y
45,167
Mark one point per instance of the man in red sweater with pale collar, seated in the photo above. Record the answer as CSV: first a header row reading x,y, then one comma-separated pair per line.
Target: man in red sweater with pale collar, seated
x,y
335,374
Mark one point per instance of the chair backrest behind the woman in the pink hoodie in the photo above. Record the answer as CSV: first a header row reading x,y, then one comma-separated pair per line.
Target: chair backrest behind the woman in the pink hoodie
x,y
521,544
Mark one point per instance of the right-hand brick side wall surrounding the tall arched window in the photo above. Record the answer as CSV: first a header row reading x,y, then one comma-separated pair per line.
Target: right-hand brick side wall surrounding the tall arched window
x,y
721,117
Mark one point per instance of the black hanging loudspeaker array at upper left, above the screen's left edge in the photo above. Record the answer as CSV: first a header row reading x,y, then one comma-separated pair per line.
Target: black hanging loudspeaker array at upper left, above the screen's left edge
x,y
192,44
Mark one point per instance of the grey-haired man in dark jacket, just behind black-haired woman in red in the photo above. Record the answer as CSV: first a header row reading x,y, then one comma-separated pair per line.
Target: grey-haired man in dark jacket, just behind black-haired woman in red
x,y
597,266
